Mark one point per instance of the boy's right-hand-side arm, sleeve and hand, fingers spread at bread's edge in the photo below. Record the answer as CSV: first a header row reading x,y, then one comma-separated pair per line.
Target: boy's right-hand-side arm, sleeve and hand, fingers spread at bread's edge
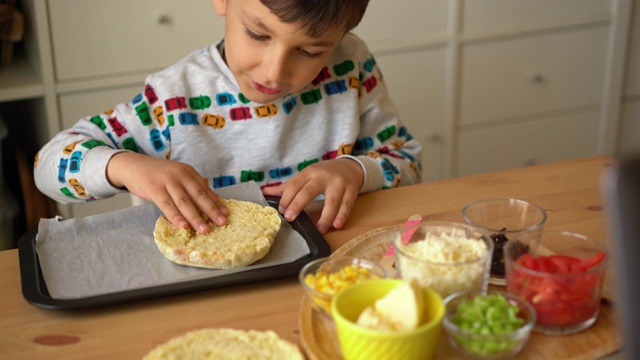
x,y
385,156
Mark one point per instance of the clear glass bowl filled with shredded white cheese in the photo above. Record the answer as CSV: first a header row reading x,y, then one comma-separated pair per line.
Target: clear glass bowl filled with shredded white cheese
x,y
448,257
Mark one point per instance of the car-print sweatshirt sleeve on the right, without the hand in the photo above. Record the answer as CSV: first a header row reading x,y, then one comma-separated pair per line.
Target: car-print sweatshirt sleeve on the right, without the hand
x,y
388,153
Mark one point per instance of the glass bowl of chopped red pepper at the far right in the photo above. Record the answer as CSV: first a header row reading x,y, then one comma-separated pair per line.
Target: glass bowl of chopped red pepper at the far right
x,y
561,275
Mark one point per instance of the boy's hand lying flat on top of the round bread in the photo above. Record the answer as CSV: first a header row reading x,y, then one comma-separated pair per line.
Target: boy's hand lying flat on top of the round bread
x,y
176,188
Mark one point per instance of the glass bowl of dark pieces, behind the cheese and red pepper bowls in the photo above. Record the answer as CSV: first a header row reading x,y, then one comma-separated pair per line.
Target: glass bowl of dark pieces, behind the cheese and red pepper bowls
x,y
502,219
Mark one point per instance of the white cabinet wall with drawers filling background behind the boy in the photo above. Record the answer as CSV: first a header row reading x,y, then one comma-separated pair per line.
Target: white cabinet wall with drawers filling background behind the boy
x,y
483,84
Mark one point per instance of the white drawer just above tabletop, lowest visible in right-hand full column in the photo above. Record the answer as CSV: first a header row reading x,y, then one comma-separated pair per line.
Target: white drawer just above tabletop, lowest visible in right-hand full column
x,y
527,143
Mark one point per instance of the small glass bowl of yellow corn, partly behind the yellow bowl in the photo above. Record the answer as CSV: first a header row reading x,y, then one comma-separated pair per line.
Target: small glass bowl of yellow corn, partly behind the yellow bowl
x,y
325,277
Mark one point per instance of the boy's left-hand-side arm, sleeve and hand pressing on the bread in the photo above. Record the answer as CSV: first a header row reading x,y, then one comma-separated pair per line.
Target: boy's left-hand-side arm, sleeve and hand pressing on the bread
x,y
127,147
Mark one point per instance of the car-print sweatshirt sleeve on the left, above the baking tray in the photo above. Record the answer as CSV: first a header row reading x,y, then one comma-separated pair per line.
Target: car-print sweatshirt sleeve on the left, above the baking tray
x,y
71,167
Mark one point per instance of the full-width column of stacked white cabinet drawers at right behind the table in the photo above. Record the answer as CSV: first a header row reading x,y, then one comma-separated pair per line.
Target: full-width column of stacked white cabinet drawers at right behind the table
x,y
532,82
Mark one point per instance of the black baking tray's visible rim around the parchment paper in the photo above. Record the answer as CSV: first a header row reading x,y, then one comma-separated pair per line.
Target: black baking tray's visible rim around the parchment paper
x,y
34,288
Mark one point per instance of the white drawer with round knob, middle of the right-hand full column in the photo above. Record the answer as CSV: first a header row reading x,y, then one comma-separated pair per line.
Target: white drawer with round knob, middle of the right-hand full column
x,y
529,75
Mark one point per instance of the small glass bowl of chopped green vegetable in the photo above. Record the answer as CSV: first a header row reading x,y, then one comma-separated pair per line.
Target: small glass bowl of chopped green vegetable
x,y
494,325
